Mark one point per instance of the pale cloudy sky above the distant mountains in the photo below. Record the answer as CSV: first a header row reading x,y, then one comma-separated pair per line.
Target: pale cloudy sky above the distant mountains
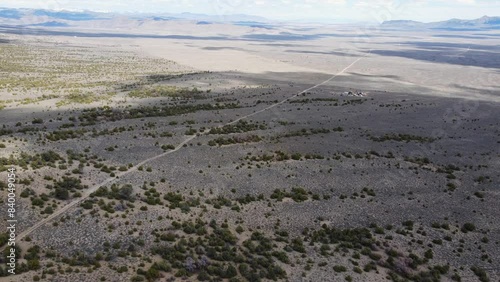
x,y
321,10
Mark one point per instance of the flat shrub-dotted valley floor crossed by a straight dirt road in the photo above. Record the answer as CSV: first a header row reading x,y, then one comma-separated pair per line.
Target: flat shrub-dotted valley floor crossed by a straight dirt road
x,y
297,154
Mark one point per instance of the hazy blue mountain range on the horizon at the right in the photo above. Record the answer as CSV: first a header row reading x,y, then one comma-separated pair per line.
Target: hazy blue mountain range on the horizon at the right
x,y
453,24
